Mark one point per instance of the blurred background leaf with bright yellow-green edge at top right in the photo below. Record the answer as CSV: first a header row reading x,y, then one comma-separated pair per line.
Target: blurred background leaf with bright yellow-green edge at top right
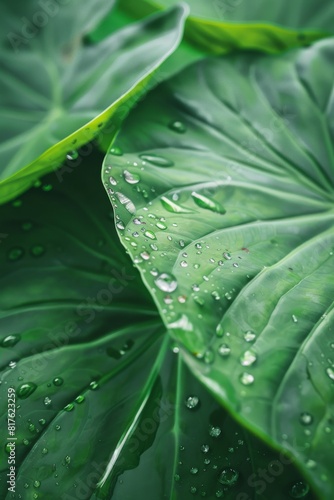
x,y
220,26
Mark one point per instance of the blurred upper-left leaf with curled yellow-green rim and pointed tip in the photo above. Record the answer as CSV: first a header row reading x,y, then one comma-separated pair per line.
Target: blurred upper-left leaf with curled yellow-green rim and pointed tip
x,y
57,93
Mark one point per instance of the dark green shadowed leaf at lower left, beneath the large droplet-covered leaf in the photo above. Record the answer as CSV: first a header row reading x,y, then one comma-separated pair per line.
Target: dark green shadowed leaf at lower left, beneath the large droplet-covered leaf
x,y
95,374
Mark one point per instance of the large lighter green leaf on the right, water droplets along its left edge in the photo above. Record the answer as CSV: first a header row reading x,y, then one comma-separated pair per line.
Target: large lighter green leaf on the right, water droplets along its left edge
x,y
224,199
